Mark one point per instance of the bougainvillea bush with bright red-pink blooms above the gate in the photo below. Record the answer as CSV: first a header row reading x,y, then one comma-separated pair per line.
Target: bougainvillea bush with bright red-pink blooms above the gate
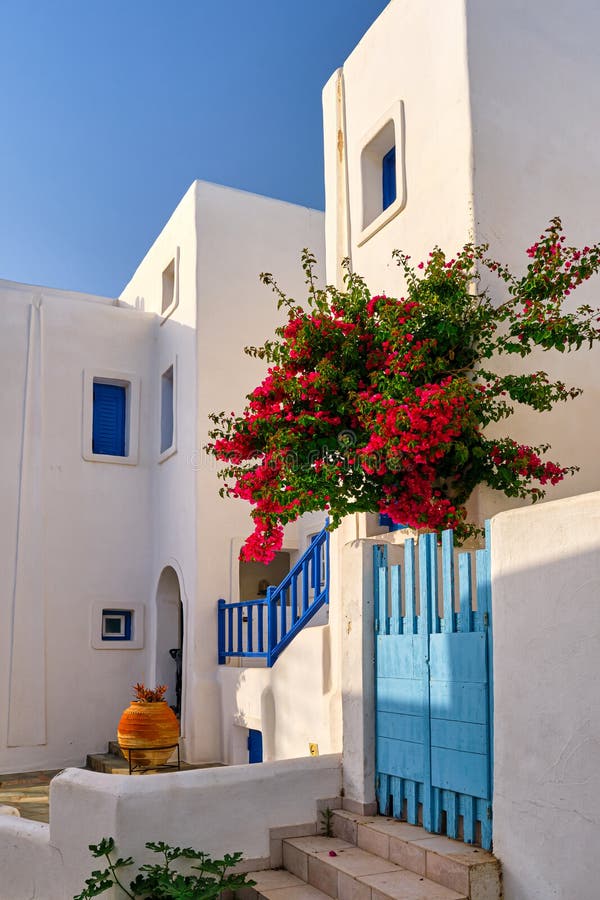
x,y
376,403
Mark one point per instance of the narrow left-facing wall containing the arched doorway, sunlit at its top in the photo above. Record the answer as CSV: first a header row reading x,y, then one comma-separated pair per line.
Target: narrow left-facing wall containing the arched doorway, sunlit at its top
x,y
174,501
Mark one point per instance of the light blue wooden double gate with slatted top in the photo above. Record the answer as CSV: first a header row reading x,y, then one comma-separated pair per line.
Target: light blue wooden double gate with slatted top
x,y
434,701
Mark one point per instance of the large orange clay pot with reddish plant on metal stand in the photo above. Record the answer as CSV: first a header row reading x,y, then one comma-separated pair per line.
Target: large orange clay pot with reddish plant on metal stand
x,y
148,727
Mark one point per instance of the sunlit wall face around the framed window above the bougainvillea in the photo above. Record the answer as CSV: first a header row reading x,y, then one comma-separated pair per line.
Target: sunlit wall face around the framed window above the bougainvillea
x,y
414,53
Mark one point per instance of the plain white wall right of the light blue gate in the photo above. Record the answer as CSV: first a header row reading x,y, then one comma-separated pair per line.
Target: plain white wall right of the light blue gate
x,y
546,620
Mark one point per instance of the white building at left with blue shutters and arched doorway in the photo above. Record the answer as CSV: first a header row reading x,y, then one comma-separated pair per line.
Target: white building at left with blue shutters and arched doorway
x,y
132,535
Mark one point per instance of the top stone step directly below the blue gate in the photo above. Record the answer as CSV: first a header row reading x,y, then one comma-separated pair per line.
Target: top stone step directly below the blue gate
x,y
468,870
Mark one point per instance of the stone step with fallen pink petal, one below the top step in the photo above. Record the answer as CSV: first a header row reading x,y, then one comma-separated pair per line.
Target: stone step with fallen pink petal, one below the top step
x,y
344,871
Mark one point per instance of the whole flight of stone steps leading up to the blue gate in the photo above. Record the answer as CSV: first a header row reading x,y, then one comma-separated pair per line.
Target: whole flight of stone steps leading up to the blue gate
x,y
375,858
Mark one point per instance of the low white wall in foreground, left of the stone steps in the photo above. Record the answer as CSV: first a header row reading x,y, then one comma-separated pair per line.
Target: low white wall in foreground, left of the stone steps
x,y
217,810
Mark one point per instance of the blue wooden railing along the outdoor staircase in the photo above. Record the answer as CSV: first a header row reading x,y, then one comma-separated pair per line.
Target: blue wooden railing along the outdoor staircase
x,y
263,628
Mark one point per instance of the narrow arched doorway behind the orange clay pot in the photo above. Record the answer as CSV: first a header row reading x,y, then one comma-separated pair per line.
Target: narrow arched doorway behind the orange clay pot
x,y
169,636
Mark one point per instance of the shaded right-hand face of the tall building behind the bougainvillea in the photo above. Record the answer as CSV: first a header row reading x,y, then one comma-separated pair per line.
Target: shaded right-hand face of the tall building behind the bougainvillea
x,y
533,73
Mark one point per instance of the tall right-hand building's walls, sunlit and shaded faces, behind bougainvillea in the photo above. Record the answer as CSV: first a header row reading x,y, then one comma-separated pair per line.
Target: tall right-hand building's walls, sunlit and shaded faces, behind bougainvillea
x,y
499,137
